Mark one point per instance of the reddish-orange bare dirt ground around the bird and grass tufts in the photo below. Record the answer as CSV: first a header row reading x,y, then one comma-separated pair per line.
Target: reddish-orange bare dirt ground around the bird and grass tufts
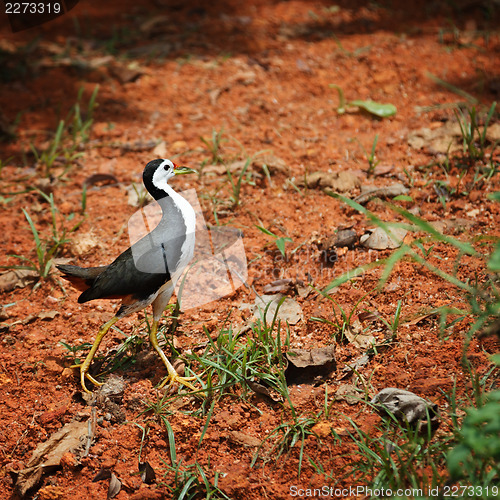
x,y
260,73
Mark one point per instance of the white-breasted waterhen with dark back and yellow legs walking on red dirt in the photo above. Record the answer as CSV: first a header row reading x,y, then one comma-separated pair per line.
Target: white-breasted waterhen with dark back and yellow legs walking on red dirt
x,y
145,273
